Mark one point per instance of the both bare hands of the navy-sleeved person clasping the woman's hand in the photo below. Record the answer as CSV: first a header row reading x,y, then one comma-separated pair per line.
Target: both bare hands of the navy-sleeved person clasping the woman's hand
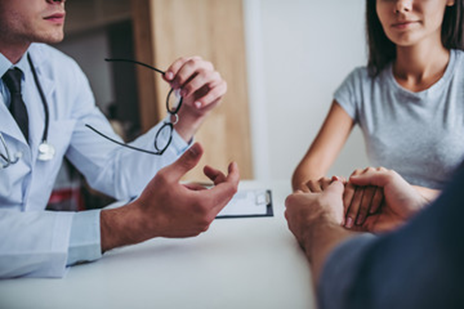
x,y
315,218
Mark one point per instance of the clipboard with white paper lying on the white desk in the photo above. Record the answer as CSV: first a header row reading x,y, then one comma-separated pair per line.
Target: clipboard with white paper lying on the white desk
x,y
249,204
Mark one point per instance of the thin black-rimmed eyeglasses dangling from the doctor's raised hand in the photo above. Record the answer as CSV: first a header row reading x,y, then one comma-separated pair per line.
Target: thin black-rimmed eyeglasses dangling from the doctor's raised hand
x,y
163,136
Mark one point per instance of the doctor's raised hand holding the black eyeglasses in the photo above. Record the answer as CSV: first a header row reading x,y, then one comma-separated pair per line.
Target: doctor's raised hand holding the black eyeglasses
x,y
201,88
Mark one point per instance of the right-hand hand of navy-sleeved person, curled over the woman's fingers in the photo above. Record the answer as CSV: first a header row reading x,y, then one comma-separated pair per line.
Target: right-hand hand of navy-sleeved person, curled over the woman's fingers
x,y
401,200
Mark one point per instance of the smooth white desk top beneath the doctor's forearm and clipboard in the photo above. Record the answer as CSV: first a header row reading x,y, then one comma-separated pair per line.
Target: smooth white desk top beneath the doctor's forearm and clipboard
x,y
238,263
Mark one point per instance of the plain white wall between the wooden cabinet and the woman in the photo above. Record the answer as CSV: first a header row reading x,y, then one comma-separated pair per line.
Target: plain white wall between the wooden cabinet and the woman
x,y
298,53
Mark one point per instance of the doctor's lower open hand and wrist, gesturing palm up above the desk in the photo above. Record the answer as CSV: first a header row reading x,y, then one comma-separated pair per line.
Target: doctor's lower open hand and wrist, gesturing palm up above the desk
x,y
167,208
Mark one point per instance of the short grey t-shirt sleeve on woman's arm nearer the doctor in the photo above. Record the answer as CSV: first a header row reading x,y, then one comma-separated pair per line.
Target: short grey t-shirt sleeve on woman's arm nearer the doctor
x,y
347,95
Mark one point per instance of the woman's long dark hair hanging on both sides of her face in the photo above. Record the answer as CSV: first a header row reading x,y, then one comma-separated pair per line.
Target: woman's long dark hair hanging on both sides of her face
x,y
382,51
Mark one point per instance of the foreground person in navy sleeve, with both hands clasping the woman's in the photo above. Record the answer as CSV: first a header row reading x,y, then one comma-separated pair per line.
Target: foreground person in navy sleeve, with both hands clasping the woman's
x,y
418,266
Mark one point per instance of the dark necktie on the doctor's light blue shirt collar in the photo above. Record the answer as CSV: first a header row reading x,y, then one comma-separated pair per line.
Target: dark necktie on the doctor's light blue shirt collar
x,y
12,80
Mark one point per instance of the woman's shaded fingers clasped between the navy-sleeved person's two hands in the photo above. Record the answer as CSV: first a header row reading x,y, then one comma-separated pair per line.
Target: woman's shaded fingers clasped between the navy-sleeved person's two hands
x,y
361,201
